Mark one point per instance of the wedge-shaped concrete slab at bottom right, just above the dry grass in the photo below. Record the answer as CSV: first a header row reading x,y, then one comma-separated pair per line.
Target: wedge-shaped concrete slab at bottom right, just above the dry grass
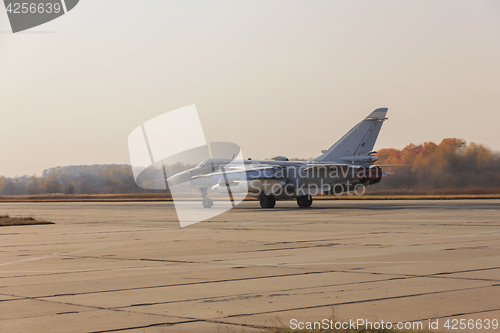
x,y
468,304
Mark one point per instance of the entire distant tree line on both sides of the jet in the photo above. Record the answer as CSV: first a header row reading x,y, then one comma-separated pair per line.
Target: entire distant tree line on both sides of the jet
x,y
451,164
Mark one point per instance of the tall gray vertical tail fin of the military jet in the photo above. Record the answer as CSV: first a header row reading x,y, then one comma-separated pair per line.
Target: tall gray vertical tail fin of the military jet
x,y
358,141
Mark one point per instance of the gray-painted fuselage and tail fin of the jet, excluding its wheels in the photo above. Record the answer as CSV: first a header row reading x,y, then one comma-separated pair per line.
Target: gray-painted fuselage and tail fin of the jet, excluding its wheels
x,y
333,167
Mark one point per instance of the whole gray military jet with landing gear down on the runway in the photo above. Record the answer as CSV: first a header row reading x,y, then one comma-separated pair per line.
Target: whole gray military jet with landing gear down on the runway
x,y
345,166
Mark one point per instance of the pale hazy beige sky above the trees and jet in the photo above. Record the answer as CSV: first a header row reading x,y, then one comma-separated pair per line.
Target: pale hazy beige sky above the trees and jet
x,y
276,77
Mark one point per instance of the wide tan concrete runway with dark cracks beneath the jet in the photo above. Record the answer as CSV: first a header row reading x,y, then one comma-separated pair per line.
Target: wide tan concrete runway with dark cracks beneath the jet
x,y
106,267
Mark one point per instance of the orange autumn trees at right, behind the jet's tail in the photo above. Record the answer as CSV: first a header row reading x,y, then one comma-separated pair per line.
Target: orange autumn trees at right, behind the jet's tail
x,y
451,164
